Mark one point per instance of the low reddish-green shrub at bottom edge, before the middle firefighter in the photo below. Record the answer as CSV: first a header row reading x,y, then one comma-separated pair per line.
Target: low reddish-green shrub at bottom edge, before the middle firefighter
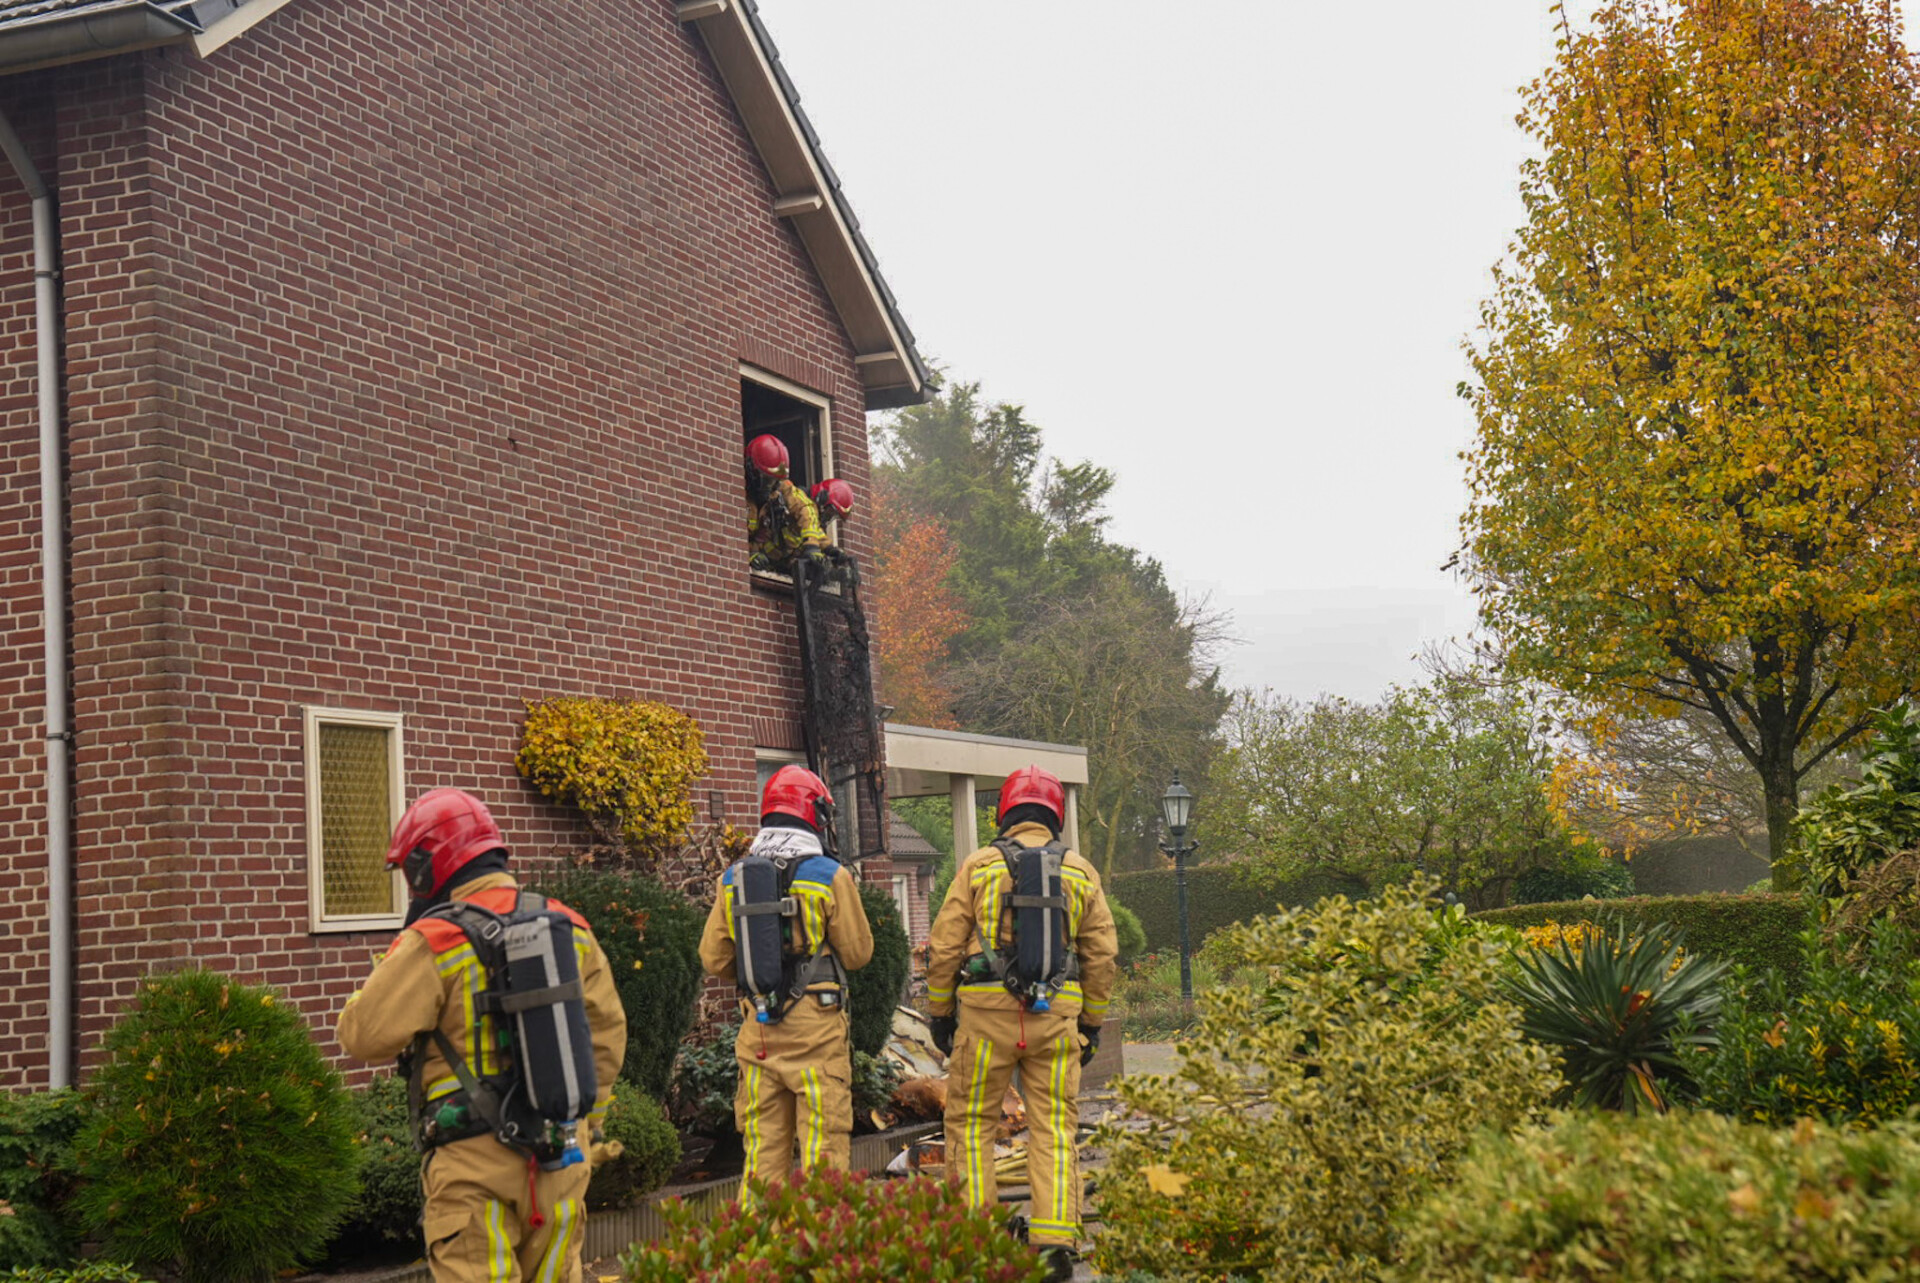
x,y
836,1226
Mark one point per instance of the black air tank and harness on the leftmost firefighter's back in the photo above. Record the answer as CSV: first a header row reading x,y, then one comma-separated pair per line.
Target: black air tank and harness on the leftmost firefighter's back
x,y
533,990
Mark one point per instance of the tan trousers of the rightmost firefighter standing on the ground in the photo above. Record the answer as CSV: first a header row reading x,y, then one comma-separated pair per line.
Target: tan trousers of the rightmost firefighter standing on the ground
x,y
988,1052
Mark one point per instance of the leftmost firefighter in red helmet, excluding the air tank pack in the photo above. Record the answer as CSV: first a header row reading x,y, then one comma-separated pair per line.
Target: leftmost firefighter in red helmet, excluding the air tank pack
x,y
492,1213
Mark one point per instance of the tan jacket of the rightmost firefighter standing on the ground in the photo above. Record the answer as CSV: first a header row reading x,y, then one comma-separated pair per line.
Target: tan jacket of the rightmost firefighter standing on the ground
x,y
976,906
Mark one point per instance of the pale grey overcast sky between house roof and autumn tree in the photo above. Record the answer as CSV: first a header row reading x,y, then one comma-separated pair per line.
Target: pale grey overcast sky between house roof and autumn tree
x,y
1228,251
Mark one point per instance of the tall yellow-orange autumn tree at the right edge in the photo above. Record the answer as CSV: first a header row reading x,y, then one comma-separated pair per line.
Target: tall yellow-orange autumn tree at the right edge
x,y
1698,379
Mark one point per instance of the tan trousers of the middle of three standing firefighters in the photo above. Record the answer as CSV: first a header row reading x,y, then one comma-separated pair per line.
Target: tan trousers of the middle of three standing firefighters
x,y
800,1092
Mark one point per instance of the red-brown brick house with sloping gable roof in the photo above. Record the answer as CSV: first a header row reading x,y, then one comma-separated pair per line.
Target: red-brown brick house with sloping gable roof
x,y
402,354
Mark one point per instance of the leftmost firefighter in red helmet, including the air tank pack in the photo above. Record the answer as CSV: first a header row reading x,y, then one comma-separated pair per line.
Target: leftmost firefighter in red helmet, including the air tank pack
x,y
510,1032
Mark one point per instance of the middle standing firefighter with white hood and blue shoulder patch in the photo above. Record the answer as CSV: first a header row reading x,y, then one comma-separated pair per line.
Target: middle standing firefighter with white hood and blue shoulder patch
x,y
788,927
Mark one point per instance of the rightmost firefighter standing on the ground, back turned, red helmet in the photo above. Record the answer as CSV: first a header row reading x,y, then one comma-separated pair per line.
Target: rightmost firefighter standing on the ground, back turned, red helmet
x,y
1026,946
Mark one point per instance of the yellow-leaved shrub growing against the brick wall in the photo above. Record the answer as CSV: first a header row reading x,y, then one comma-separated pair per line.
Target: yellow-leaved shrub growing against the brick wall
x,y
629,765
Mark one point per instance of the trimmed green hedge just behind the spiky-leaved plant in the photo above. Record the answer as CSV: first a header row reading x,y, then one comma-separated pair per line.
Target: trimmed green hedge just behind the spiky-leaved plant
x,y
1746,931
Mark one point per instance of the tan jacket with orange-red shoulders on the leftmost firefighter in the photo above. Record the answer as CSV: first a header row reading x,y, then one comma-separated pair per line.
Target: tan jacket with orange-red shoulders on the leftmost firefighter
x,y
431,977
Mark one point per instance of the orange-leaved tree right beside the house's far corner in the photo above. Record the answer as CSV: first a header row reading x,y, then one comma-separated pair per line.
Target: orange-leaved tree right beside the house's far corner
x,y
915,610
